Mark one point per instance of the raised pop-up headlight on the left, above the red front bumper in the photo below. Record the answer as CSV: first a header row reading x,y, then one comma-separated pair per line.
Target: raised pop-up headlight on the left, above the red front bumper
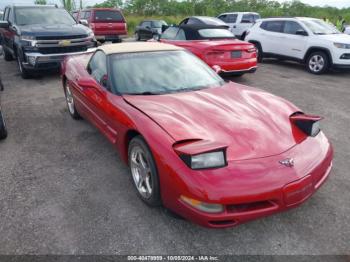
x,y
206,160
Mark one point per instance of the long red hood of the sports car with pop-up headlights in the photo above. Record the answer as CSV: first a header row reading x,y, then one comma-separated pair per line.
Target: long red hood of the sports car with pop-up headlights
x,y
250,122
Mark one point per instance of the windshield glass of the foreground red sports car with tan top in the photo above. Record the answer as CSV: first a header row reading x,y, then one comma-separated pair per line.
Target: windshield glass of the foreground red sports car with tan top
x,y
155,73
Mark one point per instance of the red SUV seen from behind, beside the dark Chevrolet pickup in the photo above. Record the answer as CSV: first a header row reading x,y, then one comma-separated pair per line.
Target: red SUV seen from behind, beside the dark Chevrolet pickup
x,y
108,24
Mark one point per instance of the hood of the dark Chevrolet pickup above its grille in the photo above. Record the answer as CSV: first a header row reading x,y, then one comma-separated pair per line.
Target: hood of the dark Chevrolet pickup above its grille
x,y
54,30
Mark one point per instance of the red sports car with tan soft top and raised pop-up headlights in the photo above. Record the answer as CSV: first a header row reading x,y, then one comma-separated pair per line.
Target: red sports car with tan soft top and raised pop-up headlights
x,y
216,153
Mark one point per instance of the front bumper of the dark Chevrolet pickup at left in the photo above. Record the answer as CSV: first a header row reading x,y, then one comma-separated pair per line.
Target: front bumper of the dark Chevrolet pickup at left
x,y
37,61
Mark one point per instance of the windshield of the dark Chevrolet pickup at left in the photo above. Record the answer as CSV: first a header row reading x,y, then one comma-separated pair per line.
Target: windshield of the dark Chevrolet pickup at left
x,y
43,15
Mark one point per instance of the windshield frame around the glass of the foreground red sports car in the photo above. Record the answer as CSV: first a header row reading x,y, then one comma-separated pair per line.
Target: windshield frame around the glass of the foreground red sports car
x,y
116,91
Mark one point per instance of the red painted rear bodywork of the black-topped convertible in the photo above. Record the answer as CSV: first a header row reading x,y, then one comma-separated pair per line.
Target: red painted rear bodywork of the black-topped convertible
x,y
206,51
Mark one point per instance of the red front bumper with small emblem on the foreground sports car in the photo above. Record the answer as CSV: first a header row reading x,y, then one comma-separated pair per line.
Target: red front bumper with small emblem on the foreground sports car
x,y
251,189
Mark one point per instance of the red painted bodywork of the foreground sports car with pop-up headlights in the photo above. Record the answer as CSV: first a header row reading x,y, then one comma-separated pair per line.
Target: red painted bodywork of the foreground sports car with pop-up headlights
x,y
253,125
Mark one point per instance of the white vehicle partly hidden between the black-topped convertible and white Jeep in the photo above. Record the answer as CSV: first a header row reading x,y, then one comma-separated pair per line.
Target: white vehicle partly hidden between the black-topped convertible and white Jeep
x,y
239,22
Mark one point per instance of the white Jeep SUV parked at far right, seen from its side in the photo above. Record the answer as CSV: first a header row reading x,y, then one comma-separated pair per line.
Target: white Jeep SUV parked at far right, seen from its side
x,y
307,40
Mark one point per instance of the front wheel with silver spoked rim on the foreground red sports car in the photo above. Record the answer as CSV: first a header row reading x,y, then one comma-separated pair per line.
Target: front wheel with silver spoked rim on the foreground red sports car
x,y
144,172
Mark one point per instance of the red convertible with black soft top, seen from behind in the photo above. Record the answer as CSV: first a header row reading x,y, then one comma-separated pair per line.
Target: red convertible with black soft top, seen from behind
x,y
215,45
